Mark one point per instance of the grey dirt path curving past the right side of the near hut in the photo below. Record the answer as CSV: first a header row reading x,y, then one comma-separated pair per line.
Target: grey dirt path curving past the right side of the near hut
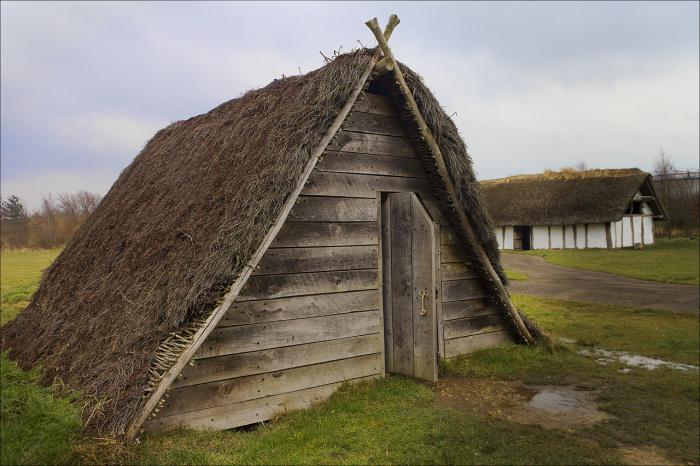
x,y
553,281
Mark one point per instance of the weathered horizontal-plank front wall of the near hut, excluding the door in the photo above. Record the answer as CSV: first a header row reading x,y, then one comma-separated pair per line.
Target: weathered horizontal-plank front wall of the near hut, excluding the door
x,y
310,317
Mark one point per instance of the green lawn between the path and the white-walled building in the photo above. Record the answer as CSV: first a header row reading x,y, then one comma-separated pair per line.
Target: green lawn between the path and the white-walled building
x,y
670,261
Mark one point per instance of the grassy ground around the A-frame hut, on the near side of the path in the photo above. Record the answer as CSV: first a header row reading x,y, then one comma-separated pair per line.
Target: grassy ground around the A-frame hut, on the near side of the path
x,y
652,415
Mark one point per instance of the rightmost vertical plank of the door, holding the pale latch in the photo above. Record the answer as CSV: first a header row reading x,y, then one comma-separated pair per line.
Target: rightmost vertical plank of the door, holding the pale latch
x,y
423,242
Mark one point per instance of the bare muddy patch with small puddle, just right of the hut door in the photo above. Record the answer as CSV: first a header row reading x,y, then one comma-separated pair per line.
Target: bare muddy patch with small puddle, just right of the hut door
x,y
564,408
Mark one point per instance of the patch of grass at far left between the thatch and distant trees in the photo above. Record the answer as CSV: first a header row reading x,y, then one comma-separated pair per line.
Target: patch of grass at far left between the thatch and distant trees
x,y
19,277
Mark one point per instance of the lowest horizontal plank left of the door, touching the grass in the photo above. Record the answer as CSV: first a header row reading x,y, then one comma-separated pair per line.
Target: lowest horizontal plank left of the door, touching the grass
x,y
248,412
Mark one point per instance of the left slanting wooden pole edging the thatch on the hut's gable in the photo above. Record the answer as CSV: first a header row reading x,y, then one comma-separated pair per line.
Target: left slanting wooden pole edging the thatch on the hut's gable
x,y
211,322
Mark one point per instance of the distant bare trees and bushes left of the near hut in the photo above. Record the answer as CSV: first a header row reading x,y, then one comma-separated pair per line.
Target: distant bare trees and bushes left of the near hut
x,y
53,224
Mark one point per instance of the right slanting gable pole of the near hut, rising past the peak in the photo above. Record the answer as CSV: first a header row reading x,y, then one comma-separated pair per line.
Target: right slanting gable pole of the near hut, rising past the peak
x,y
427,136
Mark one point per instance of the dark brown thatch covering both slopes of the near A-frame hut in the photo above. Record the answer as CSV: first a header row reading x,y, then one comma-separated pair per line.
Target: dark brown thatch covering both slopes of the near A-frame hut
x,y
179,224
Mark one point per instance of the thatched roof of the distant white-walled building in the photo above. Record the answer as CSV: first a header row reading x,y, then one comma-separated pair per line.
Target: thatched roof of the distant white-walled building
x,y
566,197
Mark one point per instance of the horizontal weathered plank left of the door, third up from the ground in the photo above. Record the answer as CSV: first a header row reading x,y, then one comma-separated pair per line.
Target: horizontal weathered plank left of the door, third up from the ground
x,y
277,359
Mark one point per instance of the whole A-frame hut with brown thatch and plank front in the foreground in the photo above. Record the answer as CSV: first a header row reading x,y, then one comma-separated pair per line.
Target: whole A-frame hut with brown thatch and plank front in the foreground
x,y
326,228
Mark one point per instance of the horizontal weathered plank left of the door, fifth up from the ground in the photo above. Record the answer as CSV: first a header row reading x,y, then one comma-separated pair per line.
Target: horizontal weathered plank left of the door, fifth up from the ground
x,y
299,307
